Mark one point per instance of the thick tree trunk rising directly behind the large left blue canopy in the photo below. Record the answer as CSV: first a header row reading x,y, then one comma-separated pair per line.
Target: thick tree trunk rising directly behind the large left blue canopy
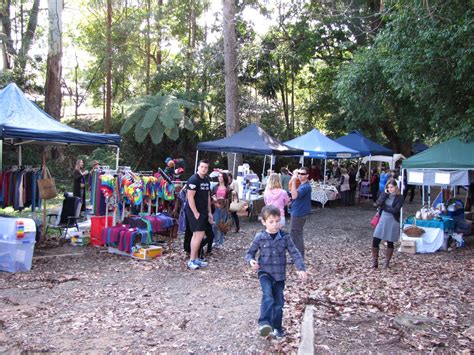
x,y
53,95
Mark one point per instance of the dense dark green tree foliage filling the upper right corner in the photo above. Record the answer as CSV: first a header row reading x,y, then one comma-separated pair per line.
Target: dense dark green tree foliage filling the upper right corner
x,y
417,79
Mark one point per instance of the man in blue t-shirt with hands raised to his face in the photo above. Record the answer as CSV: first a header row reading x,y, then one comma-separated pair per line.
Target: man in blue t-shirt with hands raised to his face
x,y
300,206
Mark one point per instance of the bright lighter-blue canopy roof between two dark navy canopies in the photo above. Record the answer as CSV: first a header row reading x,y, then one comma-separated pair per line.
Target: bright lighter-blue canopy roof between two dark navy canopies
x,y
317,145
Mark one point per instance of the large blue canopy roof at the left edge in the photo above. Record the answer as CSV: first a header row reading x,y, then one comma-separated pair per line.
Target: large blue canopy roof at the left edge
x,y
22,120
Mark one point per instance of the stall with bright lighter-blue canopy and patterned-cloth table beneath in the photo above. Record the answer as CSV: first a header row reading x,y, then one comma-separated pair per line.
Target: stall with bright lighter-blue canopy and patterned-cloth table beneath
x,y
317,145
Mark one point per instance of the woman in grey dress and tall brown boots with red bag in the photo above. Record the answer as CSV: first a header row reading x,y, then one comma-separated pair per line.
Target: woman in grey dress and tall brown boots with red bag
x,y
390,203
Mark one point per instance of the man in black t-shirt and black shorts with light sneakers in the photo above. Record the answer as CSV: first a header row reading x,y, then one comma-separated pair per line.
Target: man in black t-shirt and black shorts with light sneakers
x,y
198,211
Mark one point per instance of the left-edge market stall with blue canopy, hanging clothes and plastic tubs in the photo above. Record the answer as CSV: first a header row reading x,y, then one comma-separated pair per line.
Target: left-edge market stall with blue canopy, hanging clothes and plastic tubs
x,y
22,122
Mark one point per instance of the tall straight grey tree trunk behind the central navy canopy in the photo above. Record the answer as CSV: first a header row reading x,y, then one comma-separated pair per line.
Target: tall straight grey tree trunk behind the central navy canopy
x,y
230,70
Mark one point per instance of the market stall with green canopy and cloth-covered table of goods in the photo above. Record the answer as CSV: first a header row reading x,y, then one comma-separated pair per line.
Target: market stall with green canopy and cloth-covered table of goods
x,y
446,165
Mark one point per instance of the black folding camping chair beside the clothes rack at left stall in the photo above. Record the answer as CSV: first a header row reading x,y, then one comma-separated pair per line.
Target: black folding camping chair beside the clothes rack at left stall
x,y
70,213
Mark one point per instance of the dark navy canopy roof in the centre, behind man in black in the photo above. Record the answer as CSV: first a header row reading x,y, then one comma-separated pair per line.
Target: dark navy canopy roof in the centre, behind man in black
x,y
250,140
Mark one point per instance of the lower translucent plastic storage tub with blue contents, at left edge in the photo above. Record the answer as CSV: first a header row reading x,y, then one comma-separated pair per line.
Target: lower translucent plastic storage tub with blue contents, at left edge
x,y
15,255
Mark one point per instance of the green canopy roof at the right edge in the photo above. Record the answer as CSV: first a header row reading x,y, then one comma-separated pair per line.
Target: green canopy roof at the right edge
x,y
452,154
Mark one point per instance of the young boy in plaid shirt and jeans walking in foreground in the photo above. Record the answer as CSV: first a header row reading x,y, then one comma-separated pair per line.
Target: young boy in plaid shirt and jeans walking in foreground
x,y
271,266
